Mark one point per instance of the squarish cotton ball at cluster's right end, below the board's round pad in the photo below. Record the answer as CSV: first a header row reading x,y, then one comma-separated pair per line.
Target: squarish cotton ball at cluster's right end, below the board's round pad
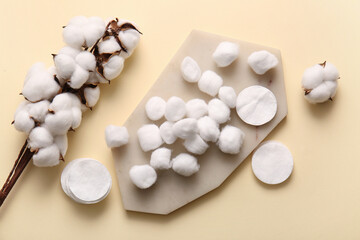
x,y
231,139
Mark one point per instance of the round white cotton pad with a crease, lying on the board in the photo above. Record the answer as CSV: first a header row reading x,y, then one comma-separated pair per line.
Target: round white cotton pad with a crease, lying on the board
x,y
256,105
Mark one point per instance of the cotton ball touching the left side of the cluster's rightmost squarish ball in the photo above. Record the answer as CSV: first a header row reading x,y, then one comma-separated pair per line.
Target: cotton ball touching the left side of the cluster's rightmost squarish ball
x,y
208,129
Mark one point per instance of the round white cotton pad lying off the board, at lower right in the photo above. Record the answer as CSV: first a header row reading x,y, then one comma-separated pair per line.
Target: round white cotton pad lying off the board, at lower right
x,y
272,162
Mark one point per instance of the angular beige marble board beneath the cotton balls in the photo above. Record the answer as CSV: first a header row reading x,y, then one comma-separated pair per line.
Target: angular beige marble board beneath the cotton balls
x,y
171,190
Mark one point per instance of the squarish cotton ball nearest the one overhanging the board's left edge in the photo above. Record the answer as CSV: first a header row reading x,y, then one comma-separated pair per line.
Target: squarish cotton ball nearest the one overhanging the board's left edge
x,y
149,137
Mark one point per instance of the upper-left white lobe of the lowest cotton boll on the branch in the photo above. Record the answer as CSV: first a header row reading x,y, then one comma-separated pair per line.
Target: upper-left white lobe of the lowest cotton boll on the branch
x,y
40,137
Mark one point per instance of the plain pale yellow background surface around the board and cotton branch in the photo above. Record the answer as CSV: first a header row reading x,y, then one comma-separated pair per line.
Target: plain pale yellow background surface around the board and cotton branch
x,y
321,199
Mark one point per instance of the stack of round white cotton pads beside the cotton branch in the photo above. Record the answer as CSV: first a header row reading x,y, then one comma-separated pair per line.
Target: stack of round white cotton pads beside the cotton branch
x,y
86,181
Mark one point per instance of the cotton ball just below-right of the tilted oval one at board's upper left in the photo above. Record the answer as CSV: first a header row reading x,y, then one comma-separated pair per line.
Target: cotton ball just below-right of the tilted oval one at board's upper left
x,y
210,83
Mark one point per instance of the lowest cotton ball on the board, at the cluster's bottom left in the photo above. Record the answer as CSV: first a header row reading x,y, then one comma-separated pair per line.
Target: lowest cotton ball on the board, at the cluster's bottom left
x,y
143,176
